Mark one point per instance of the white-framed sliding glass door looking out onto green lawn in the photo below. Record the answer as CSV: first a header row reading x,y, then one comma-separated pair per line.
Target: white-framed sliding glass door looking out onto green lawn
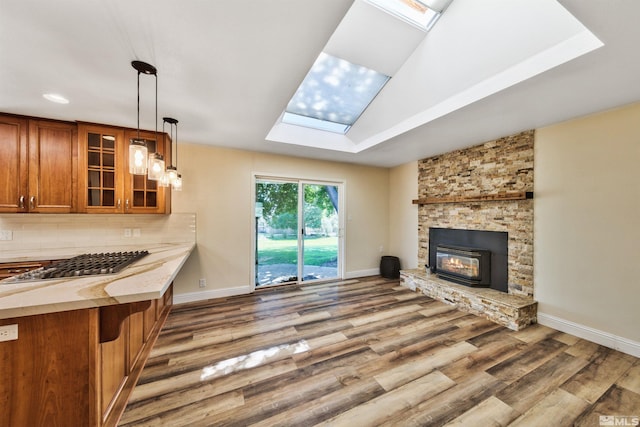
x,y
298,231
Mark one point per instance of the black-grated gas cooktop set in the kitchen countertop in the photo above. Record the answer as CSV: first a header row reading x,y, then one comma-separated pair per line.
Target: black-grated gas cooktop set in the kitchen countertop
x,y
82,265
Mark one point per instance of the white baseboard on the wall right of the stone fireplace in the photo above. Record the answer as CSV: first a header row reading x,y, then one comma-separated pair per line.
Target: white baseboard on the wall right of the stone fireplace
x,y
597,336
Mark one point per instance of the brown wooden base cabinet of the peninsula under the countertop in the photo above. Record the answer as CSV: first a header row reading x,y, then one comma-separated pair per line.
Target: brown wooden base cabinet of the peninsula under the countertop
x,y
58,373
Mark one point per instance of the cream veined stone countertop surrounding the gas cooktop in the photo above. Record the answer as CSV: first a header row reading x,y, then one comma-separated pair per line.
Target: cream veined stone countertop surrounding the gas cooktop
x,y
146,279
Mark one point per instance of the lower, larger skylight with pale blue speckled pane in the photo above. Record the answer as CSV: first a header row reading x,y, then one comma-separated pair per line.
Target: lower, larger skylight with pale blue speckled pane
x,y
333,95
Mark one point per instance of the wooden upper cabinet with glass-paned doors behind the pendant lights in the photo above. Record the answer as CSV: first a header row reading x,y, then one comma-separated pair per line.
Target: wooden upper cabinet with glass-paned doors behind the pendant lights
x,y
105,184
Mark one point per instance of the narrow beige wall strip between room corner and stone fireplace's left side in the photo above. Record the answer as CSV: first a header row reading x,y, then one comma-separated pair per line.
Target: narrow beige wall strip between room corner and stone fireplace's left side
x,y
403,215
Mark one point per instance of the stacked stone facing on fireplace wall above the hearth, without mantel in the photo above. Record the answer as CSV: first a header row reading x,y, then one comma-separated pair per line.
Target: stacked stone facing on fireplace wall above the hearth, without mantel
x,y
503,165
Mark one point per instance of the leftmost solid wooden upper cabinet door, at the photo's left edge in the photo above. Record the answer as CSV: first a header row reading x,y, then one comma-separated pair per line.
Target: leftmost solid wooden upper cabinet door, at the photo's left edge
x,y
14,164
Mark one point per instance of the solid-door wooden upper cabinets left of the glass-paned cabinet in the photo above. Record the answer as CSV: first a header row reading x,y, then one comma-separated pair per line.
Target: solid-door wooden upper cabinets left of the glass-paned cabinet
x,y
41,159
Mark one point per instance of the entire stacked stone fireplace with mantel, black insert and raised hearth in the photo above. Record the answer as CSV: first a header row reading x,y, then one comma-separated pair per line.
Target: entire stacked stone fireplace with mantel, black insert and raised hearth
x,y
482,189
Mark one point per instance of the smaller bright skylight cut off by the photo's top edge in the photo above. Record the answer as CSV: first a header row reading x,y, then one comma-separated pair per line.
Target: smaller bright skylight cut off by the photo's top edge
x,y
421,13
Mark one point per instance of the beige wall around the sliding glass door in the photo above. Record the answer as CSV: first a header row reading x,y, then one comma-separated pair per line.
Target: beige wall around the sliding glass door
x,y
218,188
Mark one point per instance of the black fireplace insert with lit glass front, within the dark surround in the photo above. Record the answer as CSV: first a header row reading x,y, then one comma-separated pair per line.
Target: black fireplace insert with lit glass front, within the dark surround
x,y
467,266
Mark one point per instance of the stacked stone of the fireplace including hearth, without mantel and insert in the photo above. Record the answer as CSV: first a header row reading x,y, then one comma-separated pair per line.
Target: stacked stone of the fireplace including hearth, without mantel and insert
x,y
501,166
